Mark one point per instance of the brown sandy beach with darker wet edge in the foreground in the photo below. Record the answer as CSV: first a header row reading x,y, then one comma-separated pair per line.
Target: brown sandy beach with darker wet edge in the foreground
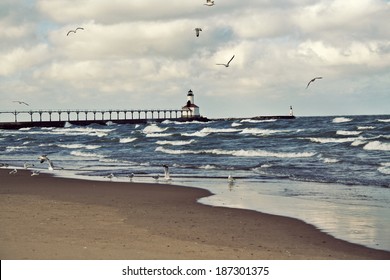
x,y
44,217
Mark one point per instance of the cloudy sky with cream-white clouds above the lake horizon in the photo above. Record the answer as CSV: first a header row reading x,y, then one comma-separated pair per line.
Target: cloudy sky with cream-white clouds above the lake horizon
x,y
143,54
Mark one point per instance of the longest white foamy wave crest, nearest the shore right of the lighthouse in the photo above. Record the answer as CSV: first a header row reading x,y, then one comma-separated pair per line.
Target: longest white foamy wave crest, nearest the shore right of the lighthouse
x,y
238,153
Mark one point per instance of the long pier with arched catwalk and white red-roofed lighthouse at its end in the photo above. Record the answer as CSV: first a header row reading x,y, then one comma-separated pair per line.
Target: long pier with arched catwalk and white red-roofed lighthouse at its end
x,y
58,118
